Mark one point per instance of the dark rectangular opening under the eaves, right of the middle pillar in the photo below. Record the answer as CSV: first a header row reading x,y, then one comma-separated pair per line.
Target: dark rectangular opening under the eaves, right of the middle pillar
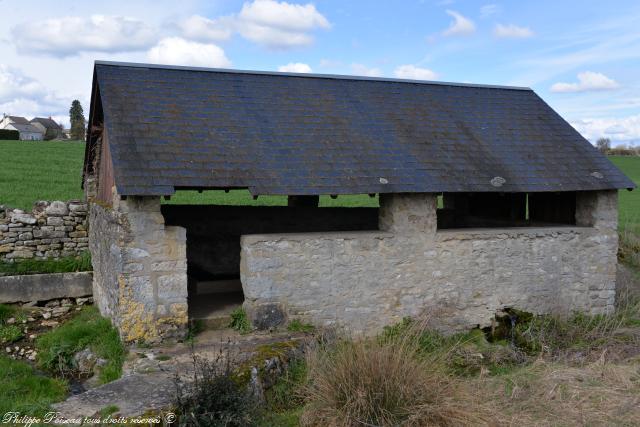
x,y
479,210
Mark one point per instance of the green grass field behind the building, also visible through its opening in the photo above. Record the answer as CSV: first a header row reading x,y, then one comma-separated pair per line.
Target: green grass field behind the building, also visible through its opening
x,y
31,171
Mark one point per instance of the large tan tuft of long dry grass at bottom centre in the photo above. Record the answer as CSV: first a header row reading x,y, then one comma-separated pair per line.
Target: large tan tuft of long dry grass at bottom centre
x,y
385,382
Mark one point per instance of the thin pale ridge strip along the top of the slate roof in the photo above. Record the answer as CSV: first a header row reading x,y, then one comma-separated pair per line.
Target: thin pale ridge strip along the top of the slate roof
x,y
305,75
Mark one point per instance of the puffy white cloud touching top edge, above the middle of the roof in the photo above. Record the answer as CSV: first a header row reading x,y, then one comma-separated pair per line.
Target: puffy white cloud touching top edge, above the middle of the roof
x,y
279,25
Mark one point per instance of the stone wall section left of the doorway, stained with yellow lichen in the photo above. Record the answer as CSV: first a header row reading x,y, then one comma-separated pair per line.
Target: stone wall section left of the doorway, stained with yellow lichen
x,y
140,269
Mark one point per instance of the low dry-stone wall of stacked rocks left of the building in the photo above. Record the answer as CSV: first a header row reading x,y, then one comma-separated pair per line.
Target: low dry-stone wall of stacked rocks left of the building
x,y
51,230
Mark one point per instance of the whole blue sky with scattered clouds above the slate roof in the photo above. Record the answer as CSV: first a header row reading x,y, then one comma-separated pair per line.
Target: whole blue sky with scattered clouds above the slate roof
x,y
582,57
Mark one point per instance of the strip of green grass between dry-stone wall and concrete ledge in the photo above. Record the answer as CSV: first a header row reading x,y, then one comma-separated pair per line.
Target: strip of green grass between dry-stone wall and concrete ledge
x,y
70,264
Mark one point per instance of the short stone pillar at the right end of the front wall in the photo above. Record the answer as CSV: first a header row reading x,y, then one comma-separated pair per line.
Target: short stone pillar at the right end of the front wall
x,y
597,209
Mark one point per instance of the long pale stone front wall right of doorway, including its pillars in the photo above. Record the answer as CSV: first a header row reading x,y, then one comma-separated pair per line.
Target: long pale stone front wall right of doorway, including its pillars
x,y
460,278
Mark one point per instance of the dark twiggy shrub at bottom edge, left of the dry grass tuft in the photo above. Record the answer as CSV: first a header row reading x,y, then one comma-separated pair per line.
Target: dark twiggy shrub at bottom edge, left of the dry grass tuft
x,y
213,396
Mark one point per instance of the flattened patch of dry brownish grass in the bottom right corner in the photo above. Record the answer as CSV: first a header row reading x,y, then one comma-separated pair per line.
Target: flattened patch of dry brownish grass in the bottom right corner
x,y
551,394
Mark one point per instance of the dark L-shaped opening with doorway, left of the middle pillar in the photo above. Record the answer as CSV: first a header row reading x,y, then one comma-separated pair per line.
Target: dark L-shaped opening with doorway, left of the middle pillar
x,y
213,244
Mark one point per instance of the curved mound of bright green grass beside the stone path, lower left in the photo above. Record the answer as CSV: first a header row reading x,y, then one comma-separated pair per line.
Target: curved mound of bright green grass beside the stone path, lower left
x,y
88,329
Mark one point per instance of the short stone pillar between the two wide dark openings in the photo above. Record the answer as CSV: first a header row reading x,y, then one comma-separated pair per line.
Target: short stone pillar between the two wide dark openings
x,y
408,213
